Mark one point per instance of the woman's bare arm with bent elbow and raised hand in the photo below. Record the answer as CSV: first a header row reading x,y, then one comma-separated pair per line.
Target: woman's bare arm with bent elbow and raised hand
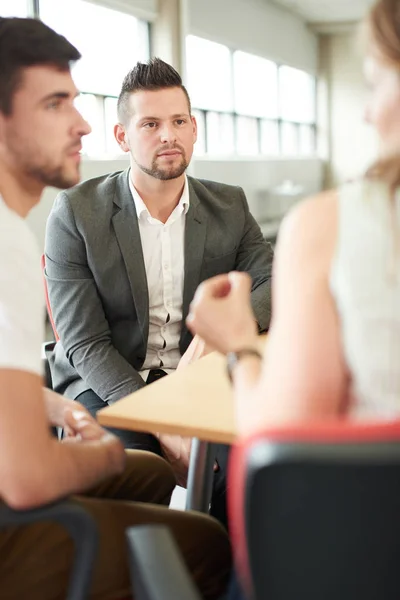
x,y
303,375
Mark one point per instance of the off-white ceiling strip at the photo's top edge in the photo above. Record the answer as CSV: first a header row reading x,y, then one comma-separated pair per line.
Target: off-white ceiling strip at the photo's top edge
x,y
327,11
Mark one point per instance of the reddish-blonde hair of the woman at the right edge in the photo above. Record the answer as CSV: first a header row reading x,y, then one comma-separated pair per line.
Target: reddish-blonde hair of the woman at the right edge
x,y
382,29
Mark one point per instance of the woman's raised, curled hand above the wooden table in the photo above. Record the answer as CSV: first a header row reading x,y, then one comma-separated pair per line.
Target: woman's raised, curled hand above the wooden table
x,y
221,313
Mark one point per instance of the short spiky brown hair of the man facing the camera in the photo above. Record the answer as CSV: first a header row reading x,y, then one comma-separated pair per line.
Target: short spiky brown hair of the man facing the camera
x,y
152,76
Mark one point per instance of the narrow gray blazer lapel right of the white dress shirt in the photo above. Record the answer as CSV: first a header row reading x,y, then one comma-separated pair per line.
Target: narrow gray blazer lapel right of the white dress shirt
x,y
195,236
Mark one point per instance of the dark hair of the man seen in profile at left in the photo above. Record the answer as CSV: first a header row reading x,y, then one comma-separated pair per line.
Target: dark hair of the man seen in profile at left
x,y
27,43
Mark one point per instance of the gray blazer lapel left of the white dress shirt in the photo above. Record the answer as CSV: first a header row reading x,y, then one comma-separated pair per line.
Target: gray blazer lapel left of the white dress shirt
x,y
126,228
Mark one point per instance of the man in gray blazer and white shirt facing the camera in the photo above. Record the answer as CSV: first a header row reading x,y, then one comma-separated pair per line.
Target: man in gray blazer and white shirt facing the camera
x,y
125,252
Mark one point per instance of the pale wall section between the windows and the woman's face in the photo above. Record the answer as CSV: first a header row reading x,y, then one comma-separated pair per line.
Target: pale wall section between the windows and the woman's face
x,y
351,143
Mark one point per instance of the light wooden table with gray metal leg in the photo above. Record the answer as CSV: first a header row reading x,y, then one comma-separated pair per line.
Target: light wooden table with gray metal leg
x,y
196,401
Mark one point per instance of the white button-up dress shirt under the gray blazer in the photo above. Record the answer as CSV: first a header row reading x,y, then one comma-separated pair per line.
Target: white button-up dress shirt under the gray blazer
x,y
164,260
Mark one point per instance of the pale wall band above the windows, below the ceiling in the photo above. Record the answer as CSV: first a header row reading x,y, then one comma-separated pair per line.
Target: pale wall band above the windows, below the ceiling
x,y
257,27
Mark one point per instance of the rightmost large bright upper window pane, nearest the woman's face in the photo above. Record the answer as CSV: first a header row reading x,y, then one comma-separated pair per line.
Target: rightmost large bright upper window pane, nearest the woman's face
x,y
297,95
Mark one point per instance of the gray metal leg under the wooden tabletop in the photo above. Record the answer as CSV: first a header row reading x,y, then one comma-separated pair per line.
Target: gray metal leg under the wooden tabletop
x,y
200,476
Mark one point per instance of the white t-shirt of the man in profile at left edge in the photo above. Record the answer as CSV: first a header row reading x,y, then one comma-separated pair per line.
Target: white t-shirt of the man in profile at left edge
x,y
21,295
